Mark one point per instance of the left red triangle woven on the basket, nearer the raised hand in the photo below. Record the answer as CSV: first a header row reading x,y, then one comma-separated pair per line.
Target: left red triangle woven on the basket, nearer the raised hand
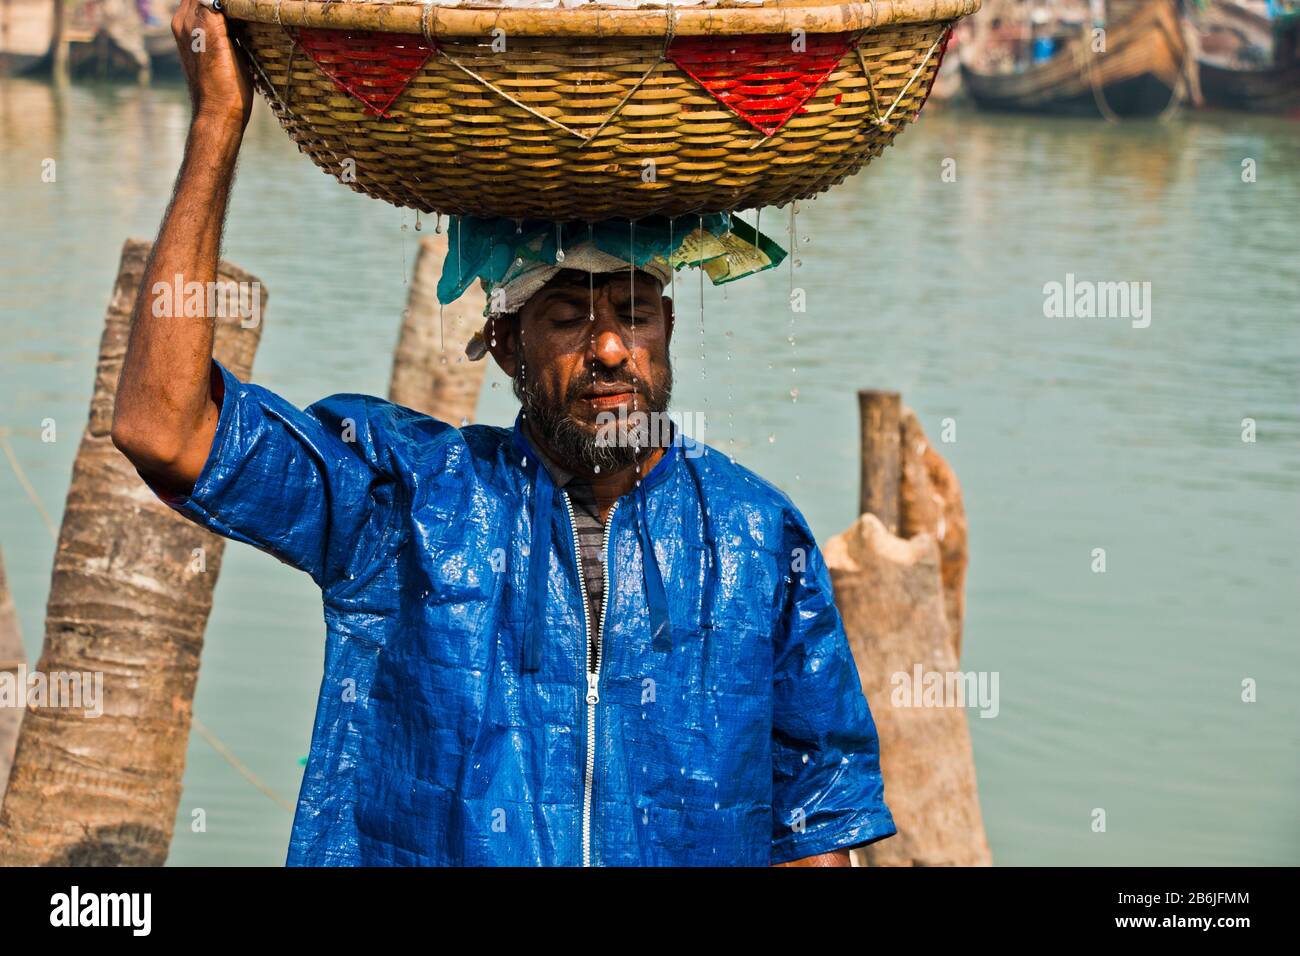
x,y
374,67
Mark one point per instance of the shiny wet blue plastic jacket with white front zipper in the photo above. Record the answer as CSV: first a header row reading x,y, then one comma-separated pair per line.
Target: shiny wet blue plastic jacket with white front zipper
x,y
730,729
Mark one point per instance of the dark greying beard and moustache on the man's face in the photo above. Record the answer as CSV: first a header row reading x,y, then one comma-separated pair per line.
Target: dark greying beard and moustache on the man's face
x,y
596,448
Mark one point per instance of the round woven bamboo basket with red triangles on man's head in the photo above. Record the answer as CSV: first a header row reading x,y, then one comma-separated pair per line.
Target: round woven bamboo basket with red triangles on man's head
x,y
587,113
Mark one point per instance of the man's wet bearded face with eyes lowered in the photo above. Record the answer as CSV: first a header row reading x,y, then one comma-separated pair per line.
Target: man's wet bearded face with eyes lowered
x,y
586,353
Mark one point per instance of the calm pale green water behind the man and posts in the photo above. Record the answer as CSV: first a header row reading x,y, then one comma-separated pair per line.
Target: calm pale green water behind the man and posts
x,y
1119,690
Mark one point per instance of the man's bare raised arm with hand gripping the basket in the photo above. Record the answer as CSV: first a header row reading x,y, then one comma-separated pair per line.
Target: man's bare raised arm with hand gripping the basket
x,y
166,416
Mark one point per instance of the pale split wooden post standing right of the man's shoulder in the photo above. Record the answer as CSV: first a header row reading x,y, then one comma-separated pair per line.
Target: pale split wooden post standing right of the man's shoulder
x,y
894,598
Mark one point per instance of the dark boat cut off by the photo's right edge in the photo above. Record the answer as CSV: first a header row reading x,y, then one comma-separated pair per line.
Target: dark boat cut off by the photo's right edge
x,y
1247,59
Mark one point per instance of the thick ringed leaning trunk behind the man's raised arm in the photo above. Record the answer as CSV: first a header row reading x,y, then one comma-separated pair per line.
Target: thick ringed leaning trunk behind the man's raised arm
x,y
129,602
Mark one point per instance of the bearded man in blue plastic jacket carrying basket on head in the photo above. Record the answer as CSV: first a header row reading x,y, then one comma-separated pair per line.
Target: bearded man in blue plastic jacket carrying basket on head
x,y
554,644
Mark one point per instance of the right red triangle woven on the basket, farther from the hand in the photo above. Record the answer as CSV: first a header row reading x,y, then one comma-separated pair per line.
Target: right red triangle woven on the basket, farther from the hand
x,y
760,77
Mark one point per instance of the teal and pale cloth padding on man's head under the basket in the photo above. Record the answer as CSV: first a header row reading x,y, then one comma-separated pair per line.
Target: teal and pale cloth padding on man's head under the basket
x,y
517,257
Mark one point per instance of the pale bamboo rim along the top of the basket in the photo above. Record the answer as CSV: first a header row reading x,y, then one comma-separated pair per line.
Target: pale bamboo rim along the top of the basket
x,y
428,19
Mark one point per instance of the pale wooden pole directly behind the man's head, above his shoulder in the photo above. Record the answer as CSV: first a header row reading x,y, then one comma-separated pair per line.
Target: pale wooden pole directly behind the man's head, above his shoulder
x,y
431,373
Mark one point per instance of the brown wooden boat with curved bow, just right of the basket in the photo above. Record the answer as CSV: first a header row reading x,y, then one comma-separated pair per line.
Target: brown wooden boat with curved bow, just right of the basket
x,y
1142,70
